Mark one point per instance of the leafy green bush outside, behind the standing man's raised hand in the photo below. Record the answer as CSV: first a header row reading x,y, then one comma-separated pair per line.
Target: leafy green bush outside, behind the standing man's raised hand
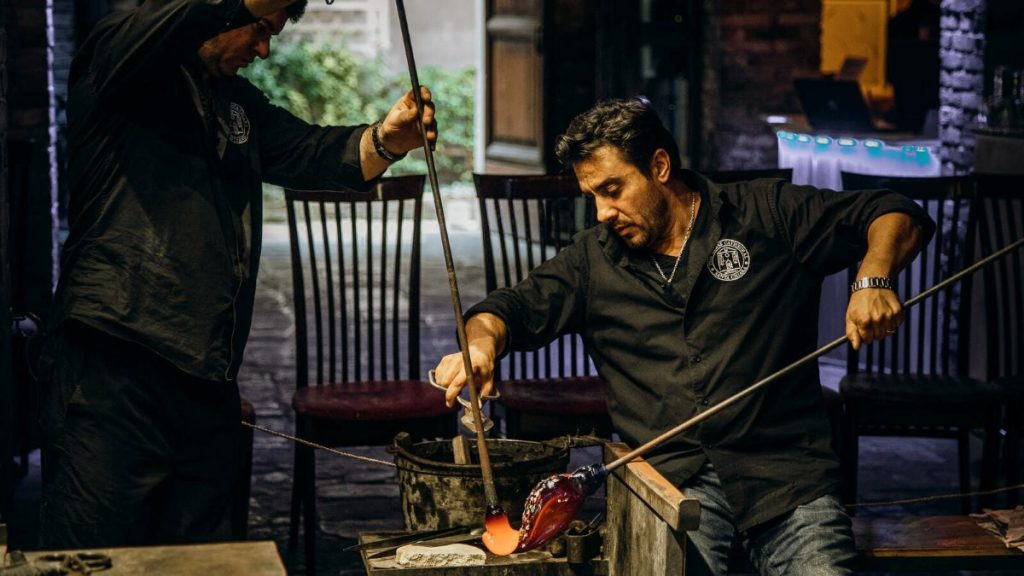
x,y
325,85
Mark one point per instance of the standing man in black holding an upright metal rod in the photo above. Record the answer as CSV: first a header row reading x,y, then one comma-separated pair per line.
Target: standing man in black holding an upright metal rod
x,y
168,151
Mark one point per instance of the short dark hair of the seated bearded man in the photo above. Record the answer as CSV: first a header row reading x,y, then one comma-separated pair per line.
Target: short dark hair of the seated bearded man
x,y
631,126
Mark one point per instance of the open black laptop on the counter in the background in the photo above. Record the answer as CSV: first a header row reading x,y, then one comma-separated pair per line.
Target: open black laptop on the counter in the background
x,y
834,105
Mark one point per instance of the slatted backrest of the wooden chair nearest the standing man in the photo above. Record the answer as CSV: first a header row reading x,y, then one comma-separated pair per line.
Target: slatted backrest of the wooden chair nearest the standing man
x,y
357,283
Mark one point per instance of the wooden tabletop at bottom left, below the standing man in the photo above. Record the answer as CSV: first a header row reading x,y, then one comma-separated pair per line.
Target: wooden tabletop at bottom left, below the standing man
x,y
228,559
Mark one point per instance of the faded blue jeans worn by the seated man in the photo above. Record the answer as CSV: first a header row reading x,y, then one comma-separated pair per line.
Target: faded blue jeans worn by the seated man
x,y
816,540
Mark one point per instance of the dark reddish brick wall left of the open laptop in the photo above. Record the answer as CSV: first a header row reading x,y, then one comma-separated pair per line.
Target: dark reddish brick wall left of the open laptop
x,y
760,49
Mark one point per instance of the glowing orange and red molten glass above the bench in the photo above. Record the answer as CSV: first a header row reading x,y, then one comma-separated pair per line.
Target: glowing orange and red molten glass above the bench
x,y
551,507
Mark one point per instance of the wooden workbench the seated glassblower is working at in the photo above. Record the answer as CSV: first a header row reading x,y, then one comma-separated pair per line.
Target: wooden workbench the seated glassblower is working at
x,y
649,518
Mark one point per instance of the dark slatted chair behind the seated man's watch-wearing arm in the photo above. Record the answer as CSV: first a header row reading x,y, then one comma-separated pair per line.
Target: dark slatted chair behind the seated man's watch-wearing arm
x,y
916,383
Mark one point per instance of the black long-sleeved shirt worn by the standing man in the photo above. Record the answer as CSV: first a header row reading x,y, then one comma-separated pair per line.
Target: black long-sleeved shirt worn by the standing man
x,y
166,172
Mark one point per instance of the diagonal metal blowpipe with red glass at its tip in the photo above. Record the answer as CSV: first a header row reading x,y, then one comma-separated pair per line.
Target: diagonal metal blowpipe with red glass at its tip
x,y
556,502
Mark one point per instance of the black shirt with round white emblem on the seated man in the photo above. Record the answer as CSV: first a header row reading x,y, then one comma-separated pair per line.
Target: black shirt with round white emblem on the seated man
x,y
744,304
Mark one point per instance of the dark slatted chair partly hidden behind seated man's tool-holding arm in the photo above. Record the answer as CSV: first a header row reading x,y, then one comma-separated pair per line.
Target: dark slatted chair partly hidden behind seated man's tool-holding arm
x,y
526,221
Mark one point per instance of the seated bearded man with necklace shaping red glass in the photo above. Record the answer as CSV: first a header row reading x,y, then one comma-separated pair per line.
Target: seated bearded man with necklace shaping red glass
x,y
689,293
